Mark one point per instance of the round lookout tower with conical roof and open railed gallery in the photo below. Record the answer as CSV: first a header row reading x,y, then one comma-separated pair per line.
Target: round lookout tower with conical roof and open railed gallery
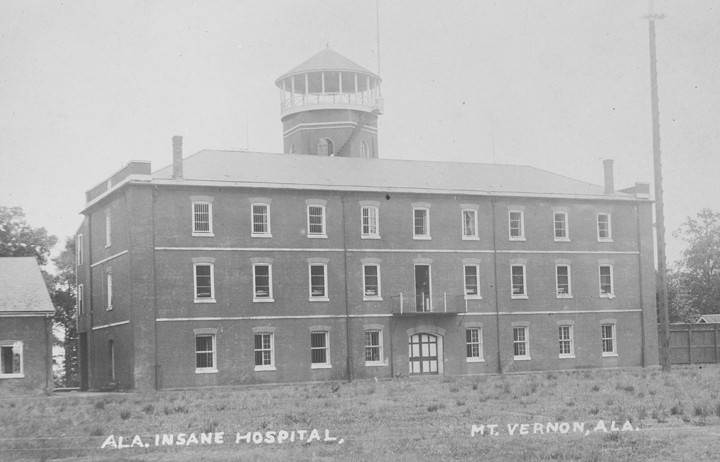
x,y
329,107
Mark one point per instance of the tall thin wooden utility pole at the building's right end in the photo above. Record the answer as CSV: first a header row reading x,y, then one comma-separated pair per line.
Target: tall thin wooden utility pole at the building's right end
x,y
659,214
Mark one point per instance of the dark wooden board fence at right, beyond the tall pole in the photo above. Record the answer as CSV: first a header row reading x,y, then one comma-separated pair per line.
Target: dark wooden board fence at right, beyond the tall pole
x,y
694,343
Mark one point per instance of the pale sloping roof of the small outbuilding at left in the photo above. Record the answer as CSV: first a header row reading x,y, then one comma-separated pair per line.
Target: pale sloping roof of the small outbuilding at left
x,y
22,287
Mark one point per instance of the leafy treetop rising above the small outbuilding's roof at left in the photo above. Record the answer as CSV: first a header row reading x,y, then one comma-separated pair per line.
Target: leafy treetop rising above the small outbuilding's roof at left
x,y
19,239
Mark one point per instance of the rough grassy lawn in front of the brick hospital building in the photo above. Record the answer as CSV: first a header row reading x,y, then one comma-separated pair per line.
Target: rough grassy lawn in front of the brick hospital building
x,y
673,416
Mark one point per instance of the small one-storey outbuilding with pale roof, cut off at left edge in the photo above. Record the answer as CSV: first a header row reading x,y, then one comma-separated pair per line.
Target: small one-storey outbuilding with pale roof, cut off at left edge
x,y
25,327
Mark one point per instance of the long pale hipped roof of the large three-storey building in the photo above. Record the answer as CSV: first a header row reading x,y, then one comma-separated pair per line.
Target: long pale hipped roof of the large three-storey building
x,y
298,171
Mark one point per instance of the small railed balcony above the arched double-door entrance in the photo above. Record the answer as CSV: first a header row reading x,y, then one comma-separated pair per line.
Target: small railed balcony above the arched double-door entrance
x,y
442,304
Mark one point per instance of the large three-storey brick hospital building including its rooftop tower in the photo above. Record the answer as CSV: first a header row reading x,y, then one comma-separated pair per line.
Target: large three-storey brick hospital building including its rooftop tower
x,y
326,262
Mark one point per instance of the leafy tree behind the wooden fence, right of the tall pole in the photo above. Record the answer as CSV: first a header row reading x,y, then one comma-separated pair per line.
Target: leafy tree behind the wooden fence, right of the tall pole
x,y
699,268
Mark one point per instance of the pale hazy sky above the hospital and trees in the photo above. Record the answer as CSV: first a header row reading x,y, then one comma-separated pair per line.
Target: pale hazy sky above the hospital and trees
x,y
87,86
